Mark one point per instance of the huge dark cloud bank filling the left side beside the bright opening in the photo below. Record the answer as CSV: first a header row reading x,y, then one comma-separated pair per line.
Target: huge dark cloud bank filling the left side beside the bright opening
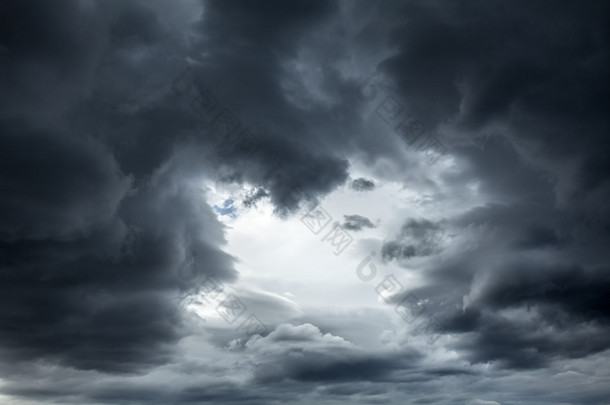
x,y
87,261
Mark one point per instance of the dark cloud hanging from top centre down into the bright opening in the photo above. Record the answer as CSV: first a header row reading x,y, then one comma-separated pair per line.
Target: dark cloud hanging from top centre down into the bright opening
x,y
290,158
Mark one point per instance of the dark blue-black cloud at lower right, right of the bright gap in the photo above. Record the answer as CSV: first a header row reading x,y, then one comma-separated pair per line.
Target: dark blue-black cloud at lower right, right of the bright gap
x,y
520,315
